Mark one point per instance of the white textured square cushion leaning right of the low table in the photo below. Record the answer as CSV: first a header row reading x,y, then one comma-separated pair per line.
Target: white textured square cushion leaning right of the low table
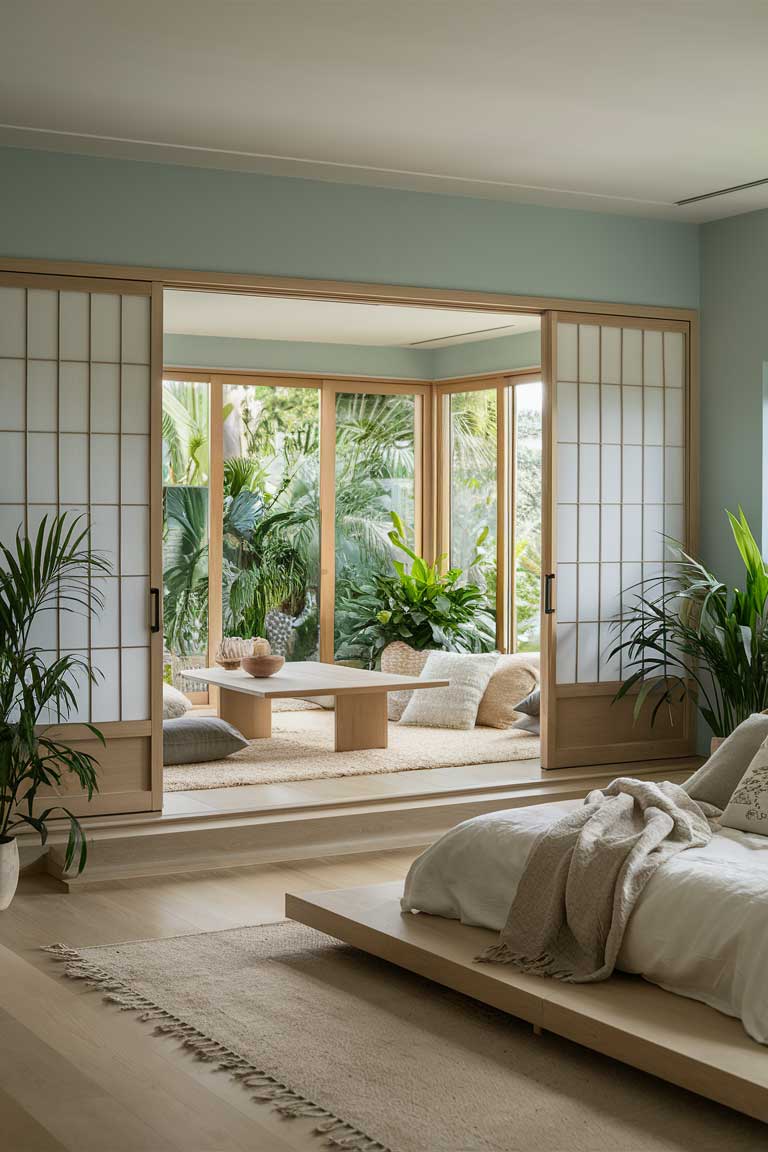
x,y
455,707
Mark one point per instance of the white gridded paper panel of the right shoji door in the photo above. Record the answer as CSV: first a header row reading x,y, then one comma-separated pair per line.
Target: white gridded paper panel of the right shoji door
x,y
621,482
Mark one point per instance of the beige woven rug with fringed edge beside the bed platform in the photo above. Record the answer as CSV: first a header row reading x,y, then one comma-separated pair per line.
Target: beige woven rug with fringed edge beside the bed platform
x,y
383,1059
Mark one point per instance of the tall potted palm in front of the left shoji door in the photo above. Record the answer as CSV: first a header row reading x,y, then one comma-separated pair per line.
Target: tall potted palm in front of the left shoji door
x,y
50,573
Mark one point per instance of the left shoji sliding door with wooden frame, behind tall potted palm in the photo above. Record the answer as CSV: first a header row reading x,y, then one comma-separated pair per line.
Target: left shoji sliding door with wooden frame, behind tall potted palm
x,y
80,434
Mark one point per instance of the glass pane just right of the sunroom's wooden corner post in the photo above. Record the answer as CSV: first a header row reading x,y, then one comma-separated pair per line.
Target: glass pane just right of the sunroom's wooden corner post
x,y
474,488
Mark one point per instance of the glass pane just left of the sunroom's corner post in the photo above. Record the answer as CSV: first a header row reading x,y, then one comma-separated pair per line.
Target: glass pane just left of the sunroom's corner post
x,y
376,438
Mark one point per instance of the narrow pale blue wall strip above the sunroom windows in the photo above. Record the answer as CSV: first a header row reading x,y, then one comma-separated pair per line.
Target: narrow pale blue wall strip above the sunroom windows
x,y
521,351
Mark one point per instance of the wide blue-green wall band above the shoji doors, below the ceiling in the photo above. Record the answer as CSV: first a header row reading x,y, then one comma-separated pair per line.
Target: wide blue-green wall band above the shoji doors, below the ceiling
x,y
72,208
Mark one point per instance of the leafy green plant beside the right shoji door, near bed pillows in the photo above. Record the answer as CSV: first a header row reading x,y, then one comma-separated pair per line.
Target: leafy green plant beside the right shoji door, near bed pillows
x,y
688,634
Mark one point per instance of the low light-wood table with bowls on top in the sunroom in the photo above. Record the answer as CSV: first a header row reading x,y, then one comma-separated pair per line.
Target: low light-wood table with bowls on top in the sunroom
x,y
361,711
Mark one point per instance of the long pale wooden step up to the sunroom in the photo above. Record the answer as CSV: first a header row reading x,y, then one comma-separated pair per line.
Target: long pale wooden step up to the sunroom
x,y
275,823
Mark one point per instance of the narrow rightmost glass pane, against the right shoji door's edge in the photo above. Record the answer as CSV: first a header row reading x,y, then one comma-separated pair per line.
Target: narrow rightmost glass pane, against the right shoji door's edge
x,y
528,517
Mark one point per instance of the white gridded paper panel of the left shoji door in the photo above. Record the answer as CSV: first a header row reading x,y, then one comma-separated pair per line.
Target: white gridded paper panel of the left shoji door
x,y
75,437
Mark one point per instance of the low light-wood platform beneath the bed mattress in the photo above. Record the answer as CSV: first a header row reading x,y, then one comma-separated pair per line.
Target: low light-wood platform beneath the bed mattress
x,y
681,1041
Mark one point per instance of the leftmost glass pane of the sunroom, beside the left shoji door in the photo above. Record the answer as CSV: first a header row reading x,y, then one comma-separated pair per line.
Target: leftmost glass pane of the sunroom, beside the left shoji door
x,y
185,529
